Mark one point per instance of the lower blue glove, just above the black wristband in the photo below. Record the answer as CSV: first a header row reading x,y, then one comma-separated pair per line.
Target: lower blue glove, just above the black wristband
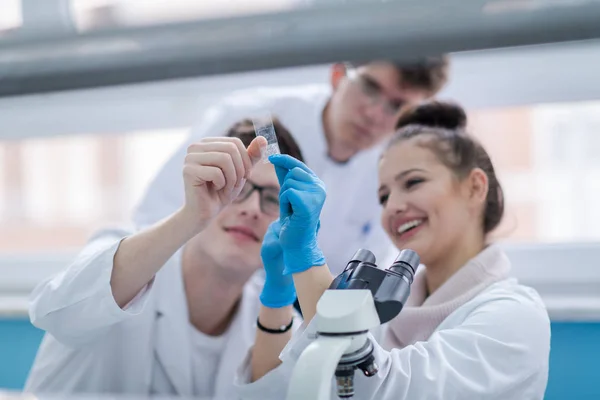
x,y
279,290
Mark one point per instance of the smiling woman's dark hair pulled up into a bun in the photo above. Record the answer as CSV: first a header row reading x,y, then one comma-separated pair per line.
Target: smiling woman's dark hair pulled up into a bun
x,y
444,124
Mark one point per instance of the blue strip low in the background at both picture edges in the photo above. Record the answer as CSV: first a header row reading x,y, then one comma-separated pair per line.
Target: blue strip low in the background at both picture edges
x,y
573,359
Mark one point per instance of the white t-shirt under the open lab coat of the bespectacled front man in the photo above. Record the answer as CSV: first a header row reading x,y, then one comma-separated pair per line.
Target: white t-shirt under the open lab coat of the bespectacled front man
x,y
206,356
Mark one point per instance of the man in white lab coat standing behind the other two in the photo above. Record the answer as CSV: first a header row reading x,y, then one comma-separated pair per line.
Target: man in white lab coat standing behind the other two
x,y
340,128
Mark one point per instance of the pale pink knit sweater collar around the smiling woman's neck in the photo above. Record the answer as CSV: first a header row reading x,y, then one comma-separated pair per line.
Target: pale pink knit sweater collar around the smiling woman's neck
x,y
421,316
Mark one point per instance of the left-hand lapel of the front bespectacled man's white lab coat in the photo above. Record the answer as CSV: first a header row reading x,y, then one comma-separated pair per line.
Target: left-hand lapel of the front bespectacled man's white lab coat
x,y
172,343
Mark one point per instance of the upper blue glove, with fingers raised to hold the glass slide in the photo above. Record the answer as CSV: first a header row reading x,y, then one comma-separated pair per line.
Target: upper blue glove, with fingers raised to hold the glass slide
x,y
301,199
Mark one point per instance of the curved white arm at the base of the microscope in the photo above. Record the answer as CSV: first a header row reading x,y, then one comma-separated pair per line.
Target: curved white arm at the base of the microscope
x,y
314,370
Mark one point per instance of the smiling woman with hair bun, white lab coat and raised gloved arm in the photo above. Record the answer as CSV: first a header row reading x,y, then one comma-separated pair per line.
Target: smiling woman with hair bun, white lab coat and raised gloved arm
x,y
460,333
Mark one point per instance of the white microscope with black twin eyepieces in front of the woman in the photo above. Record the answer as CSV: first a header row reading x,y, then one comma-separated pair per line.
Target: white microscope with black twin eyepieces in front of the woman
x,y
361,298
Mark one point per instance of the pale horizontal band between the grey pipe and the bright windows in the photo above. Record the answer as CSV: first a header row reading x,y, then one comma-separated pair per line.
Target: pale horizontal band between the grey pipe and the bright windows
x,y
483,79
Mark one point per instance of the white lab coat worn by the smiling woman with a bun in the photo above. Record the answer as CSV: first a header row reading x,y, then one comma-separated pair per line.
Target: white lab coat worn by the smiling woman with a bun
x,y
494,347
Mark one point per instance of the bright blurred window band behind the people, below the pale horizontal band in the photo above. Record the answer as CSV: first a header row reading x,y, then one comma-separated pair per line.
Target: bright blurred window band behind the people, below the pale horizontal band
x,y
54,192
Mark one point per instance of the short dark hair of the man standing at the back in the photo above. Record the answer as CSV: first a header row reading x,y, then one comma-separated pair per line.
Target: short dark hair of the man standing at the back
x,y
429,74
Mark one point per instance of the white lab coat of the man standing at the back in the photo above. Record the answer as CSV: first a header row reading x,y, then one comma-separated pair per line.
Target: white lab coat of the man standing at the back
x,y
351,214
